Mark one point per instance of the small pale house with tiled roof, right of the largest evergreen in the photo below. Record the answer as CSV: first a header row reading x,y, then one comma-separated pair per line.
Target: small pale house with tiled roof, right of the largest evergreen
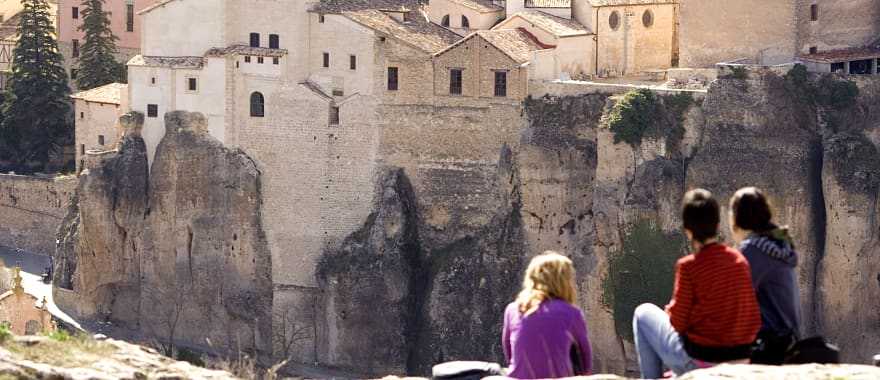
x,y
96,113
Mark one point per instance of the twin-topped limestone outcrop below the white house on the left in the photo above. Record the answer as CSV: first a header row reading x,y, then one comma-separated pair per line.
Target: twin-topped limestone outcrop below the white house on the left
x,y
177,253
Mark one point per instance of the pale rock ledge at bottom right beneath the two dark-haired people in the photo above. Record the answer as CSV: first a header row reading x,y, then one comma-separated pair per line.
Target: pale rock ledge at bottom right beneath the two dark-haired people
x,y
759,372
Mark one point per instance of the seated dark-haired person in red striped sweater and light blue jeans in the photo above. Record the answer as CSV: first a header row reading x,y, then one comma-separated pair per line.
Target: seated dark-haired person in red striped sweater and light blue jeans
x,y
713,316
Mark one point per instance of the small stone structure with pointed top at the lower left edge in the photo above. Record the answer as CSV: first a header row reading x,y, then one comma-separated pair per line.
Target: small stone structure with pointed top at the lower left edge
x,y
24,314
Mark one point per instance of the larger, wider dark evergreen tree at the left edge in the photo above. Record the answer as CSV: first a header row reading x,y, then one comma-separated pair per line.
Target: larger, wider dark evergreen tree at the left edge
x,y
37,116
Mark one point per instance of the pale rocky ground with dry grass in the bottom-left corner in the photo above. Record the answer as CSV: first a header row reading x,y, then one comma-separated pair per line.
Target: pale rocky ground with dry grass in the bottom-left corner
x,y
119,360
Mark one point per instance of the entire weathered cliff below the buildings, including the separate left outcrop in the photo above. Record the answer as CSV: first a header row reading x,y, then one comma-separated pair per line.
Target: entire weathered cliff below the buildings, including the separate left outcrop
x,y
594,174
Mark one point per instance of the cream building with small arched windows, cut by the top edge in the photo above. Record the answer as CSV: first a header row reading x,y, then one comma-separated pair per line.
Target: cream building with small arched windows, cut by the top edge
x,y
462,16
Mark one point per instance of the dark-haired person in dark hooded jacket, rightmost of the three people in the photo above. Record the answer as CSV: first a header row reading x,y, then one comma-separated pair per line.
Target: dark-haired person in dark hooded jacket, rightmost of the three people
x,y
773,260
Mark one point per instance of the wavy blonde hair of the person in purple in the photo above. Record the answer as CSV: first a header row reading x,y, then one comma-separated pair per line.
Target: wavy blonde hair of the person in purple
x,y
549,275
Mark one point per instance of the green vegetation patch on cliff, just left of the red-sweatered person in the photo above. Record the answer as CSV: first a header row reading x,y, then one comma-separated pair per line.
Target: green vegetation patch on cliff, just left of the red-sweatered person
x,y
642,271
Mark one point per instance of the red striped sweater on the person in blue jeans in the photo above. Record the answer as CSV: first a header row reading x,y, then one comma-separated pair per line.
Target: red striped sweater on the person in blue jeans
x,y
713,302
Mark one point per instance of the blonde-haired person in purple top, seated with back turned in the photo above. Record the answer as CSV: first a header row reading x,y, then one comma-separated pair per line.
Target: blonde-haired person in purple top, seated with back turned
x,y
545,335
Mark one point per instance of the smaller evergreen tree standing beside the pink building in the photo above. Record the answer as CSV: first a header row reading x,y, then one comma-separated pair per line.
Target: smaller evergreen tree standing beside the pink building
x,y
97,63
